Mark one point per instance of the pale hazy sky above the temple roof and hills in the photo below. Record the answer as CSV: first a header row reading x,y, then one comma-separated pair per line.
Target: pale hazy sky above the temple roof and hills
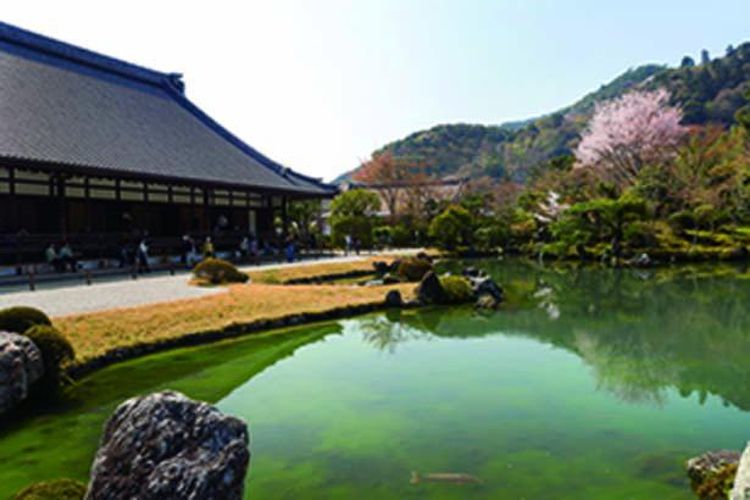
x,y
319,84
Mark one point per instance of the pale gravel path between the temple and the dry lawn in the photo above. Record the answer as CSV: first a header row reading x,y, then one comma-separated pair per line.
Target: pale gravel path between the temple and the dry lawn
x,y
64,299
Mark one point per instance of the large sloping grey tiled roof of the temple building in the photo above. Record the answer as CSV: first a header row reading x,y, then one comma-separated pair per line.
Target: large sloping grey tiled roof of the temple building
x,y
64,105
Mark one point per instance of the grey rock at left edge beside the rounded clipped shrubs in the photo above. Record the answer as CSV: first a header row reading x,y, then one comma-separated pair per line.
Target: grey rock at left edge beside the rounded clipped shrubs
x,y
21,365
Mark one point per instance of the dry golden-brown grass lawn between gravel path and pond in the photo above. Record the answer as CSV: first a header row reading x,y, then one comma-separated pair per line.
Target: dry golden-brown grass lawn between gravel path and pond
x,y
93,334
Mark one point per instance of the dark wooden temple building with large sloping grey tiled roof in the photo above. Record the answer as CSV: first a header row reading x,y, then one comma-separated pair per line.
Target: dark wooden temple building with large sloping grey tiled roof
x,y
95,150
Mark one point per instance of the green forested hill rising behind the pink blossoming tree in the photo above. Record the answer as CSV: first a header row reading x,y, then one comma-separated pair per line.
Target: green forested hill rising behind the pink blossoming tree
x,y
709,91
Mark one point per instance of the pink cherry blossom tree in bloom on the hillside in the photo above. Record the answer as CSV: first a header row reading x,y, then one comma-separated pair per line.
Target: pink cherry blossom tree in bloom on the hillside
x,y
630,132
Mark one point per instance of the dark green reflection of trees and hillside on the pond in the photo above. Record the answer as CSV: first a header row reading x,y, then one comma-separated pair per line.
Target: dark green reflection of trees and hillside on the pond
x,y
642,333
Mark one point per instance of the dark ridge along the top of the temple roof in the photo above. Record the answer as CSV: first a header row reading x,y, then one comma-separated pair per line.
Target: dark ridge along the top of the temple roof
x,y
73,53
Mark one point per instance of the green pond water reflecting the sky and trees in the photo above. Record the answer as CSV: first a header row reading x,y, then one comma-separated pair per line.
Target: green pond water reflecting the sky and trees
x,y
587,384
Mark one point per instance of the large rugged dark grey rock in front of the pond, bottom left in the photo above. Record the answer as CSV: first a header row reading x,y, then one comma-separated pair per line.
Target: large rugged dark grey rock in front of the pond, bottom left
x,y
166,446
